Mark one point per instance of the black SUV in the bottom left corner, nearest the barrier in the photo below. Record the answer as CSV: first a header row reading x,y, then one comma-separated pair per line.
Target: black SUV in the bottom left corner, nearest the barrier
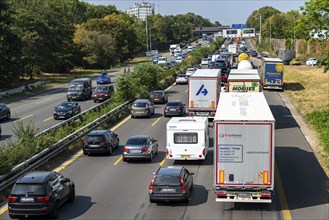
x,y
40,193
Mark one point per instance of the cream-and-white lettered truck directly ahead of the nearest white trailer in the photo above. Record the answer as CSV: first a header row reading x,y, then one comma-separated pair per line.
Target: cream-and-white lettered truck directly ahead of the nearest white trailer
x,y
244,83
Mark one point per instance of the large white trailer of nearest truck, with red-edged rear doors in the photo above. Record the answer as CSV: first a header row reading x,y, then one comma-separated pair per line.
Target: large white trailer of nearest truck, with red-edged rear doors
x,y
243,149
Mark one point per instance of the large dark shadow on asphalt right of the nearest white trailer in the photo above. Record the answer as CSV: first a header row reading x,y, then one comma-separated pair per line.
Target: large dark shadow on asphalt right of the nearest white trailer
x,y
304,181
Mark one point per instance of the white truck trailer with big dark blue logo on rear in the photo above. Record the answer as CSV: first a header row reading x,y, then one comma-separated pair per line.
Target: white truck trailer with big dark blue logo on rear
x,y
204,87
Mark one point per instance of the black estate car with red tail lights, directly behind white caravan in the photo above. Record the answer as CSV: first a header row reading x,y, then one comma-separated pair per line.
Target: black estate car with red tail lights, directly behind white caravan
x,y
171,184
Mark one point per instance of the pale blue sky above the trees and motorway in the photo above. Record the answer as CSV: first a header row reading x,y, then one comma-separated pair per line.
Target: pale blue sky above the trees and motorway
x,y
226,12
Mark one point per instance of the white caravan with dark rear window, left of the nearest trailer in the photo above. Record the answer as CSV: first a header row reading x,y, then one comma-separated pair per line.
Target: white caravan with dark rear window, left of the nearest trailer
x,y
187,138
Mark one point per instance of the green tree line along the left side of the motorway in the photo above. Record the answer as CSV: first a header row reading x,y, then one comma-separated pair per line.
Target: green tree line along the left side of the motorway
x,y
57,36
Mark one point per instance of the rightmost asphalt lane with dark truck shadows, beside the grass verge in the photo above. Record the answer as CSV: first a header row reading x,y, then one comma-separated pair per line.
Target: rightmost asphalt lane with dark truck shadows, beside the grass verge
x,y
304,181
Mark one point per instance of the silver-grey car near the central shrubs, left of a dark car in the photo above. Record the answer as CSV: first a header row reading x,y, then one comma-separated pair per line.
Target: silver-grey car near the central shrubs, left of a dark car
x,y
142,108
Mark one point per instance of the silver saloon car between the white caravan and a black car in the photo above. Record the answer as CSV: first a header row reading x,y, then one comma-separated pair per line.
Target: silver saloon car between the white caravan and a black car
x,y
140,147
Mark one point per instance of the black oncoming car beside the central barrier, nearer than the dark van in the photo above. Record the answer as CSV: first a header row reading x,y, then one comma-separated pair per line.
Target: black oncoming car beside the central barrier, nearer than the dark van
x,y
67,110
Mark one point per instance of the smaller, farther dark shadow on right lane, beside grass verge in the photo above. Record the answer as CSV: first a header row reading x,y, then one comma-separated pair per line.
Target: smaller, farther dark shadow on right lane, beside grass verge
x,y
283,117
